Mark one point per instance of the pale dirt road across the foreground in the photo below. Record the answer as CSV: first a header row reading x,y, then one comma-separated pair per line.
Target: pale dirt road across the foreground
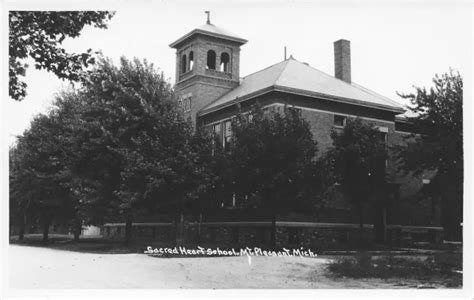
x,y
34,267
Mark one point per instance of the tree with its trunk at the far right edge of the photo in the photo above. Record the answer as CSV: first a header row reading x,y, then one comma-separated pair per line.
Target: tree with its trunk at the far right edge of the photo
x,y
438,144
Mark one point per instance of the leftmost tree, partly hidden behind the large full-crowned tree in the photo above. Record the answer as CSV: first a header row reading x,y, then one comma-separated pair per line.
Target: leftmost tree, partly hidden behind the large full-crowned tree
x,y
37,182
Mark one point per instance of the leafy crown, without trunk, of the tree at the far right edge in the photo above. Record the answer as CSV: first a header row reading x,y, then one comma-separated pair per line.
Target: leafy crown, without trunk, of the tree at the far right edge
x,y
439,125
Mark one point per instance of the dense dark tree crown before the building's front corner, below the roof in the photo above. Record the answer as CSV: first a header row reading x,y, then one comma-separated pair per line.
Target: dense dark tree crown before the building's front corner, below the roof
x,y
271,158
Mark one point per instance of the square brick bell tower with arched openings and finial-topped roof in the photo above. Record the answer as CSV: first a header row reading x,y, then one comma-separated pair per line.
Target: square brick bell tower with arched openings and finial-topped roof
x,y
207,66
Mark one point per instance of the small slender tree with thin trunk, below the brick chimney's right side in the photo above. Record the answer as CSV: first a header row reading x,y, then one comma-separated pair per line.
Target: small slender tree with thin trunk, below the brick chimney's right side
x,y
358,162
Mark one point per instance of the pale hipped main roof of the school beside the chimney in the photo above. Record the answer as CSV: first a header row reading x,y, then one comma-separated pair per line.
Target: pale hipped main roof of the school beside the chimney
x,y
295,77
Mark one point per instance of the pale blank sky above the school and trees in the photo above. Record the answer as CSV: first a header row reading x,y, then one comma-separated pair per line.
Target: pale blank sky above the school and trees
x,y
394,45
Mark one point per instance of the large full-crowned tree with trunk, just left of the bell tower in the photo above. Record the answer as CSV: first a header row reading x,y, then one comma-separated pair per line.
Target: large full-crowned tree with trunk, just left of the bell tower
x,y
130,147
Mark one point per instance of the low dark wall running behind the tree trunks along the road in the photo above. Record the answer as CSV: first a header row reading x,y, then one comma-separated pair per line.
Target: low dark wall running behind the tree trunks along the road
x,y
288,234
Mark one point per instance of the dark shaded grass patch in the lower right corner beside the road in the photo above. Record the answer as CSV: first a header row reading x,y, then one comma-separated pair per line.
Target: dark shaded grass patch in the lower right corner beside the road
x,y
440,268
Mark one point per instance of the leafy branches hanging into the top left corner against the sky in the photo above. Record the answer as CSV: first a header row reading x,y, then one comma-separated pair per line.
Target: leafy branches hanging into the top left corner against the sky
x,y
39,34
